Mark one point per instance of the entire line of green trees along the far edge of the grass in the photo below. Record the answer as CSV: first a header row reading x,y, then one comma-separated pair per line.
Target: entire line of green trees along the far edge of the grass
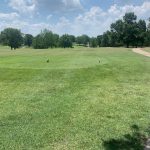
x,y
124,32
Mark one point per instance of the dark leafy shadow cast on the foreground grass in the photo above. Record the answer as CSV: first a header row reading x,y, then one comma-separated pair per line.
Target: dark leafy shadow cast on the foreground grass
x,y
134,141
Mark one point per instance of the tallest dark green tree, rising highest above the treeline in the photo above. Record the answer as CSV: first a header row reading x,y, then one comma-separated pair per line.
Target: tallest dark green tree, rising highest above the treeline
x,y
127,31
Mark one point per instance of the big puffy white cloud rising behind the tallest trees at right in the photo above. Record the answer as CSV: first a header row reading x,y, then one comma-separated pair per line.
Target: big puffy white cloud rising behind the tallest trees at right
x,y
96,21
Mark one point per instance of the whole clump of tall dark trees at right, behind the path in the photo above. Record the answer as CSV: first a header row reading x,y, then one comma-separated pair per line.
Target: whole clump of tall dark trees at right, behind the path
x,y
127,31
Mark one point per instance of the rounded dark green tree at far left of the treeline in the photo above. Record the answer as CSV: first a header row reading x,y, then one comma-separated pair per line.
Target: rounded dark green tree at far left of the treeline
x,y
11,37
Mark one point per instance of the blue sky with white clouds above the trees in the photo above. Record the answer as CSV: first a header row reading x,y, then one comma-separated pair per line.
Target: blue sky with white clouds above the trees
x,y
77,17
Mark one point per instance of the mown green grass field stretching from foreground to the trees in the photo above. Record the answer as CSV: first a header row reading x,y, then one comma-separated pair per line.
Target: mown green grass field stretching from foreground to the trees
x,y
73,102
